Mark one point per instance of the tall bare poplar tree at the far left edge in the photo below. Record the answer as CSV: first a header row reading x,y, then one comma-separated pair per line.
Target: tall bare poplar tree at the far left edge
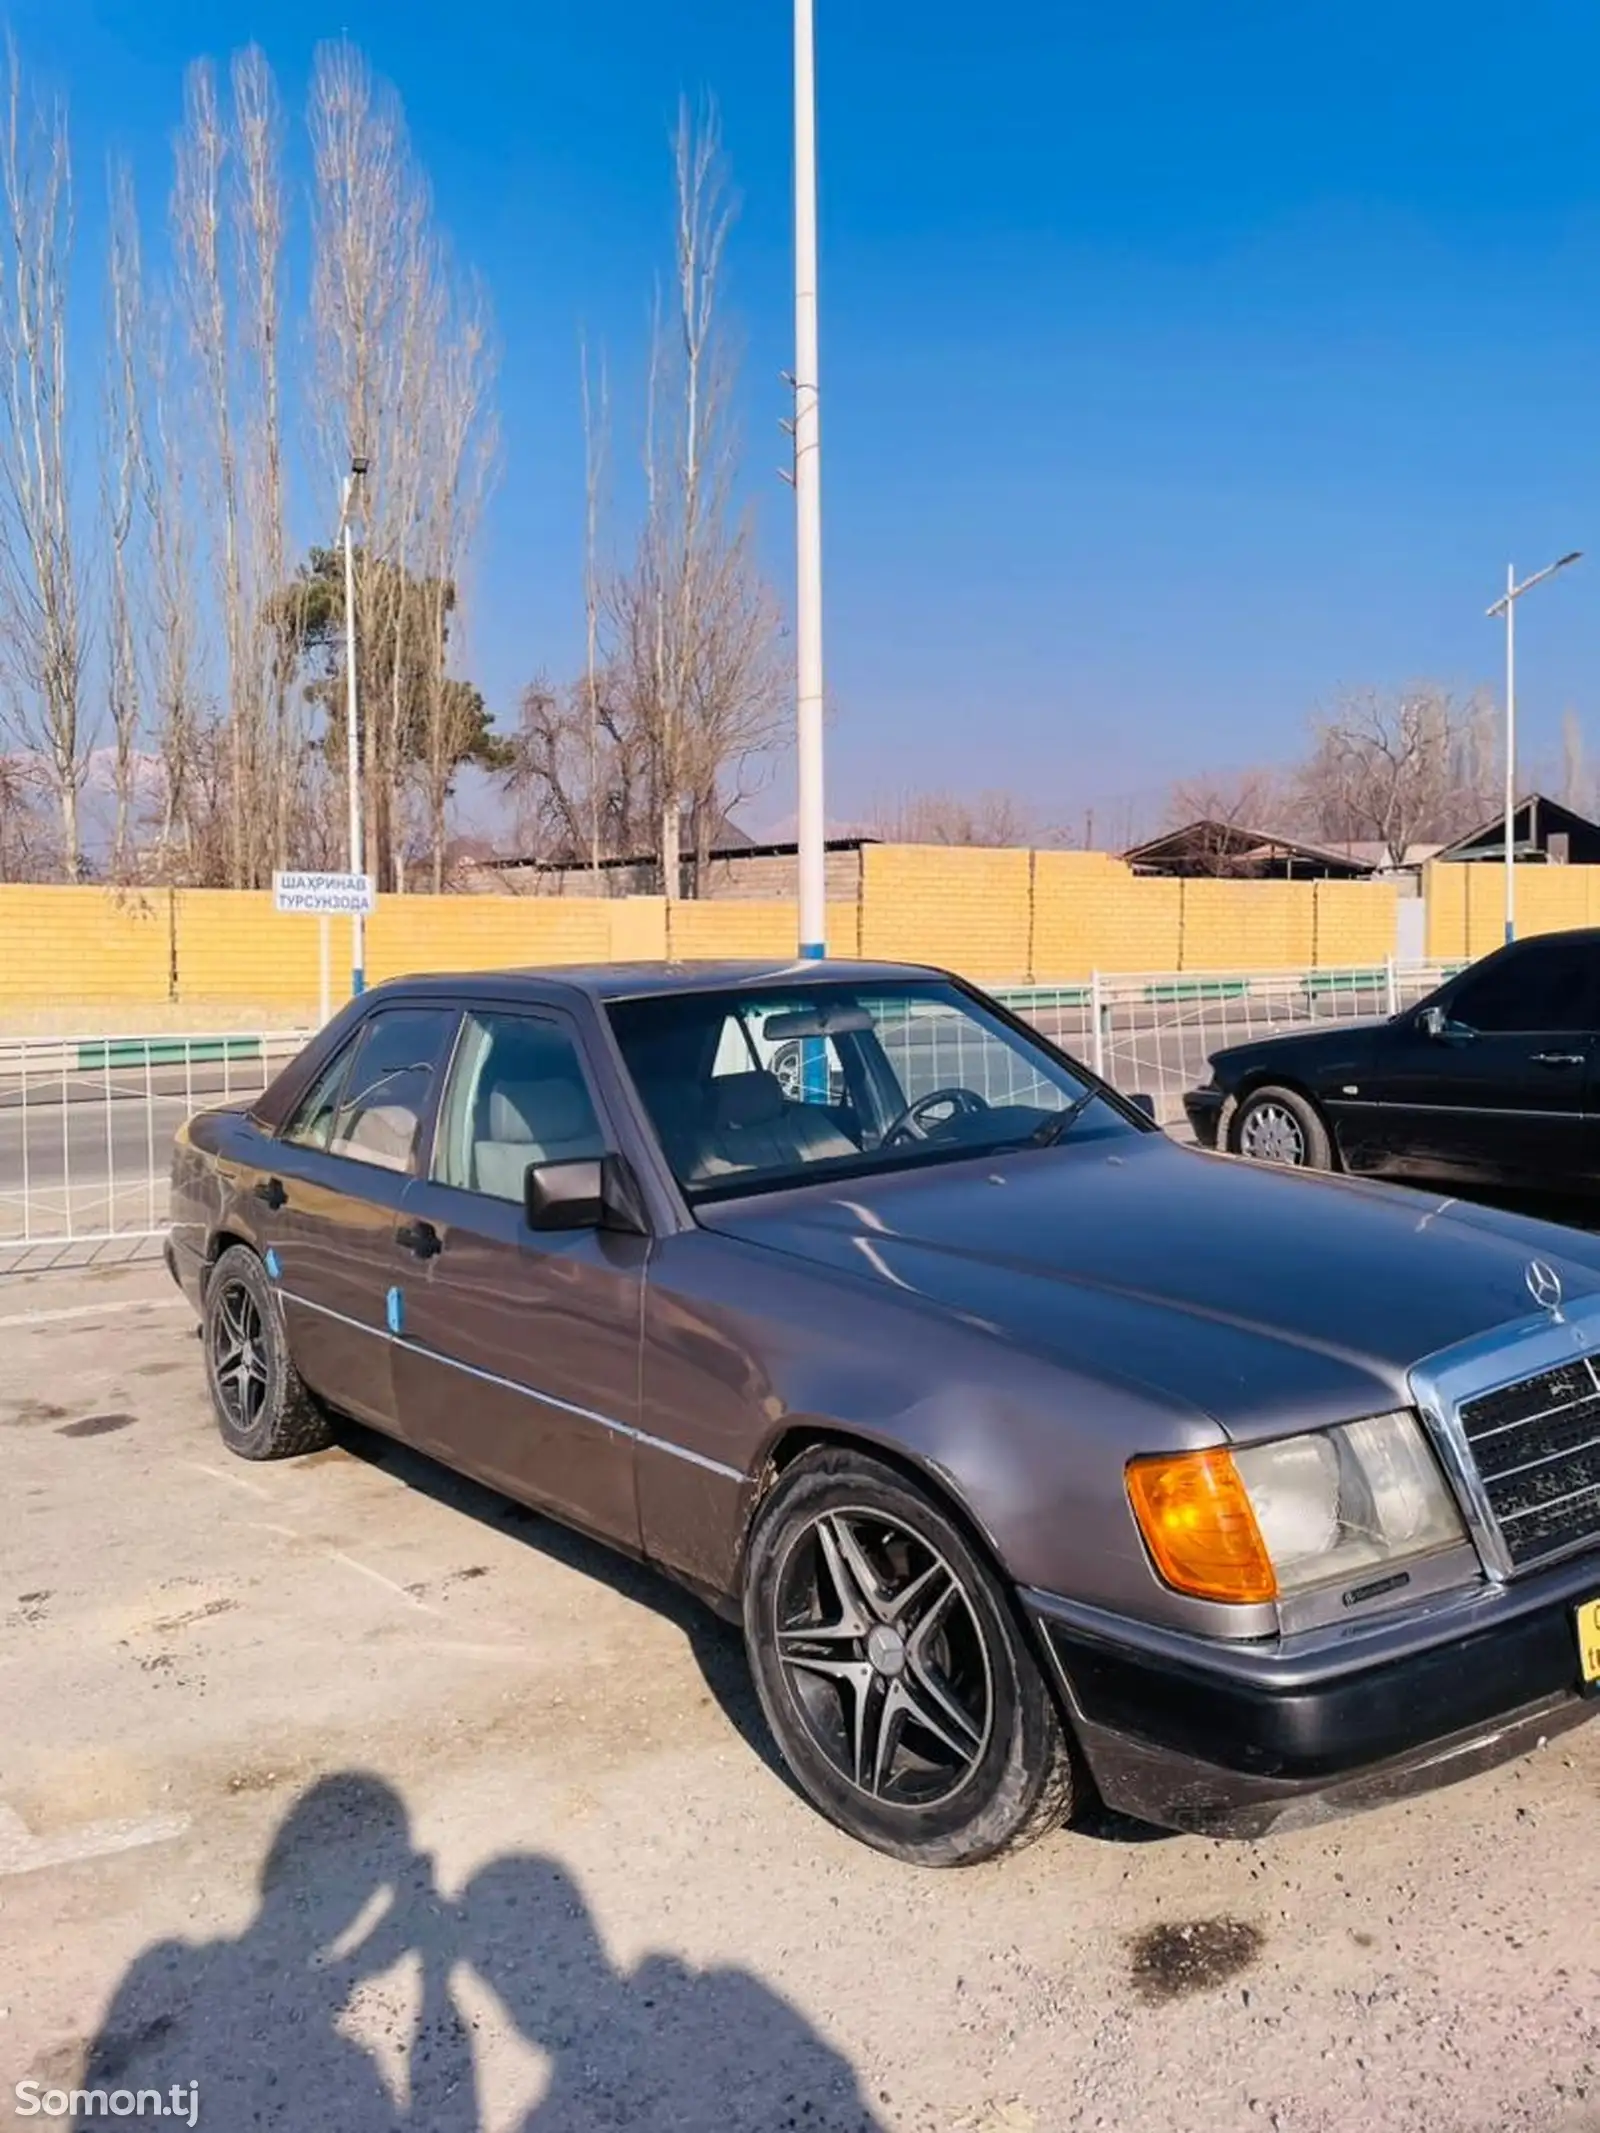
x,y
42,596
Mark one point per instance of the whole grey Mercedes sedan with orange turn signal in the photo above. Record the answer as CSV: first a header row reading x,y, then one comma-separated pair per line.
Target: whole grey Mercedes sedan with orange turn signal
x,y
1038,1458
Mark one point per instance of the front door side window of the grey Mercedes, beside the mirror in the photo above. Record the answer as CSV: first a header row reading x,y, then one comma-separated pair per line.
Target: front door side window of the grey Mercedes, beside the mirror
x,y
517,1095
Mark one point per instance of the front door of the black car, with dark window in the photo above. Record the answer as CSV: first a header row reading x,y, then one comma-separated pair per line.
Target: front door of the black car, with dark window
x,y
1494,1085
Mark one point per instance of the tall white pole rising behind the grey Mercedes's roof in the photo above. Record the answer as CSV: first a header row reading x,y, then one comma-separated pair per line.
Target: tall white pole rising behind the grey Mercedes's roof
x,y
807,494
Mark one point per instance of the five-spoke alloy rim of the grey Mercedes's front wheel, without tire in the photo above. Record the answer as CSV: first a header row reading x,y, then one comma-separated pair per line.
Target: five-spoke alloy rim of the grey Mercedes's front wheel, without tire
x,y
884,1658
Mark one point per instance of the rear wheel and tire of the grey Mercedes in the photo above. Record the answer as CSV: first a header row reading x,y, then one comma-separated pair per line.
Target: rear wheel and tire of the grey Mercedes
x,y
261,1405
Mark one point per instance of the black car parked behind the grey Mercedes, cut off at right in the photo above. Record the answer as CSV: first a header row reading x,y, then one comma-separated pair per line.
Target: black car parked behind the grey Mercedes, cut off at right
x,y
1490,1080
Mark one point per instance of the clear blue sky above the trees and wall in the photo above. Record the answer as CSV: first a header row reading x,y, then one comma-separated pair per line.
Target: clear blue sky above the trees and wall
x,y
1177,370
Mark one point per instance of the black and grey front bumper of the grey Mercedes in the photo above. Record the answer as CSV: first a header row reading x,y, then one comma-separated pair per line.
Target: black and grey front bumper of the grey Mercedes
x,y
1245,1739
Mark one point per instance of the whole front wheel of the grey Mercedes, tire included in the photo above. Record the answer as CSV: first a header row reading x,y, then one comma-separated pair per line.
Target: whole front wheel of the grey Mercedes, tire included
x,y
944,1744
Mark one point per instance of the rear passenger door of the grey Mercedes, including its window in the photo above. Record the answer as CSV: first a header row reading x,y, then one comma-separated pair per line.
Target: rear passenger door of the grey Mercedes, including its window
x,y
332,1200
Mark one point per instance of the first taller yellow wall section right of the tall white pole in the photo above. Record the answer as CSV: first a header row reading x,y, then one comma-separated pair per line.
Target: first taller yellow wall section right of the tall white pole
x,y
950,905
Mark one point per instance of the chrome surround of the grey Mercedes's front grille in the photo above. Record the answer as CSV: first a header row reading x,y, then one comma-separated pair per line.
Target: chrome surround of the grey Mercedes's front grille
x,y
1479,1366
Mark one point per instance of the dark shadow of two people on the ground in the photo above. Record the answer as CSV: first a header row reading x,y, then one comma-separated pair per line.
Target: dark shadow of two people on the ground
x,y
261,2023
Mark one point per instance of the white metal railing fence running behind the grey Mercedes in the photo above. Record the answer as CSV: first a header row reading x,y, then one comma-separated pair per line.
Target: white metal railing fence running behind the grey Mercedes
x,y
86,1125
